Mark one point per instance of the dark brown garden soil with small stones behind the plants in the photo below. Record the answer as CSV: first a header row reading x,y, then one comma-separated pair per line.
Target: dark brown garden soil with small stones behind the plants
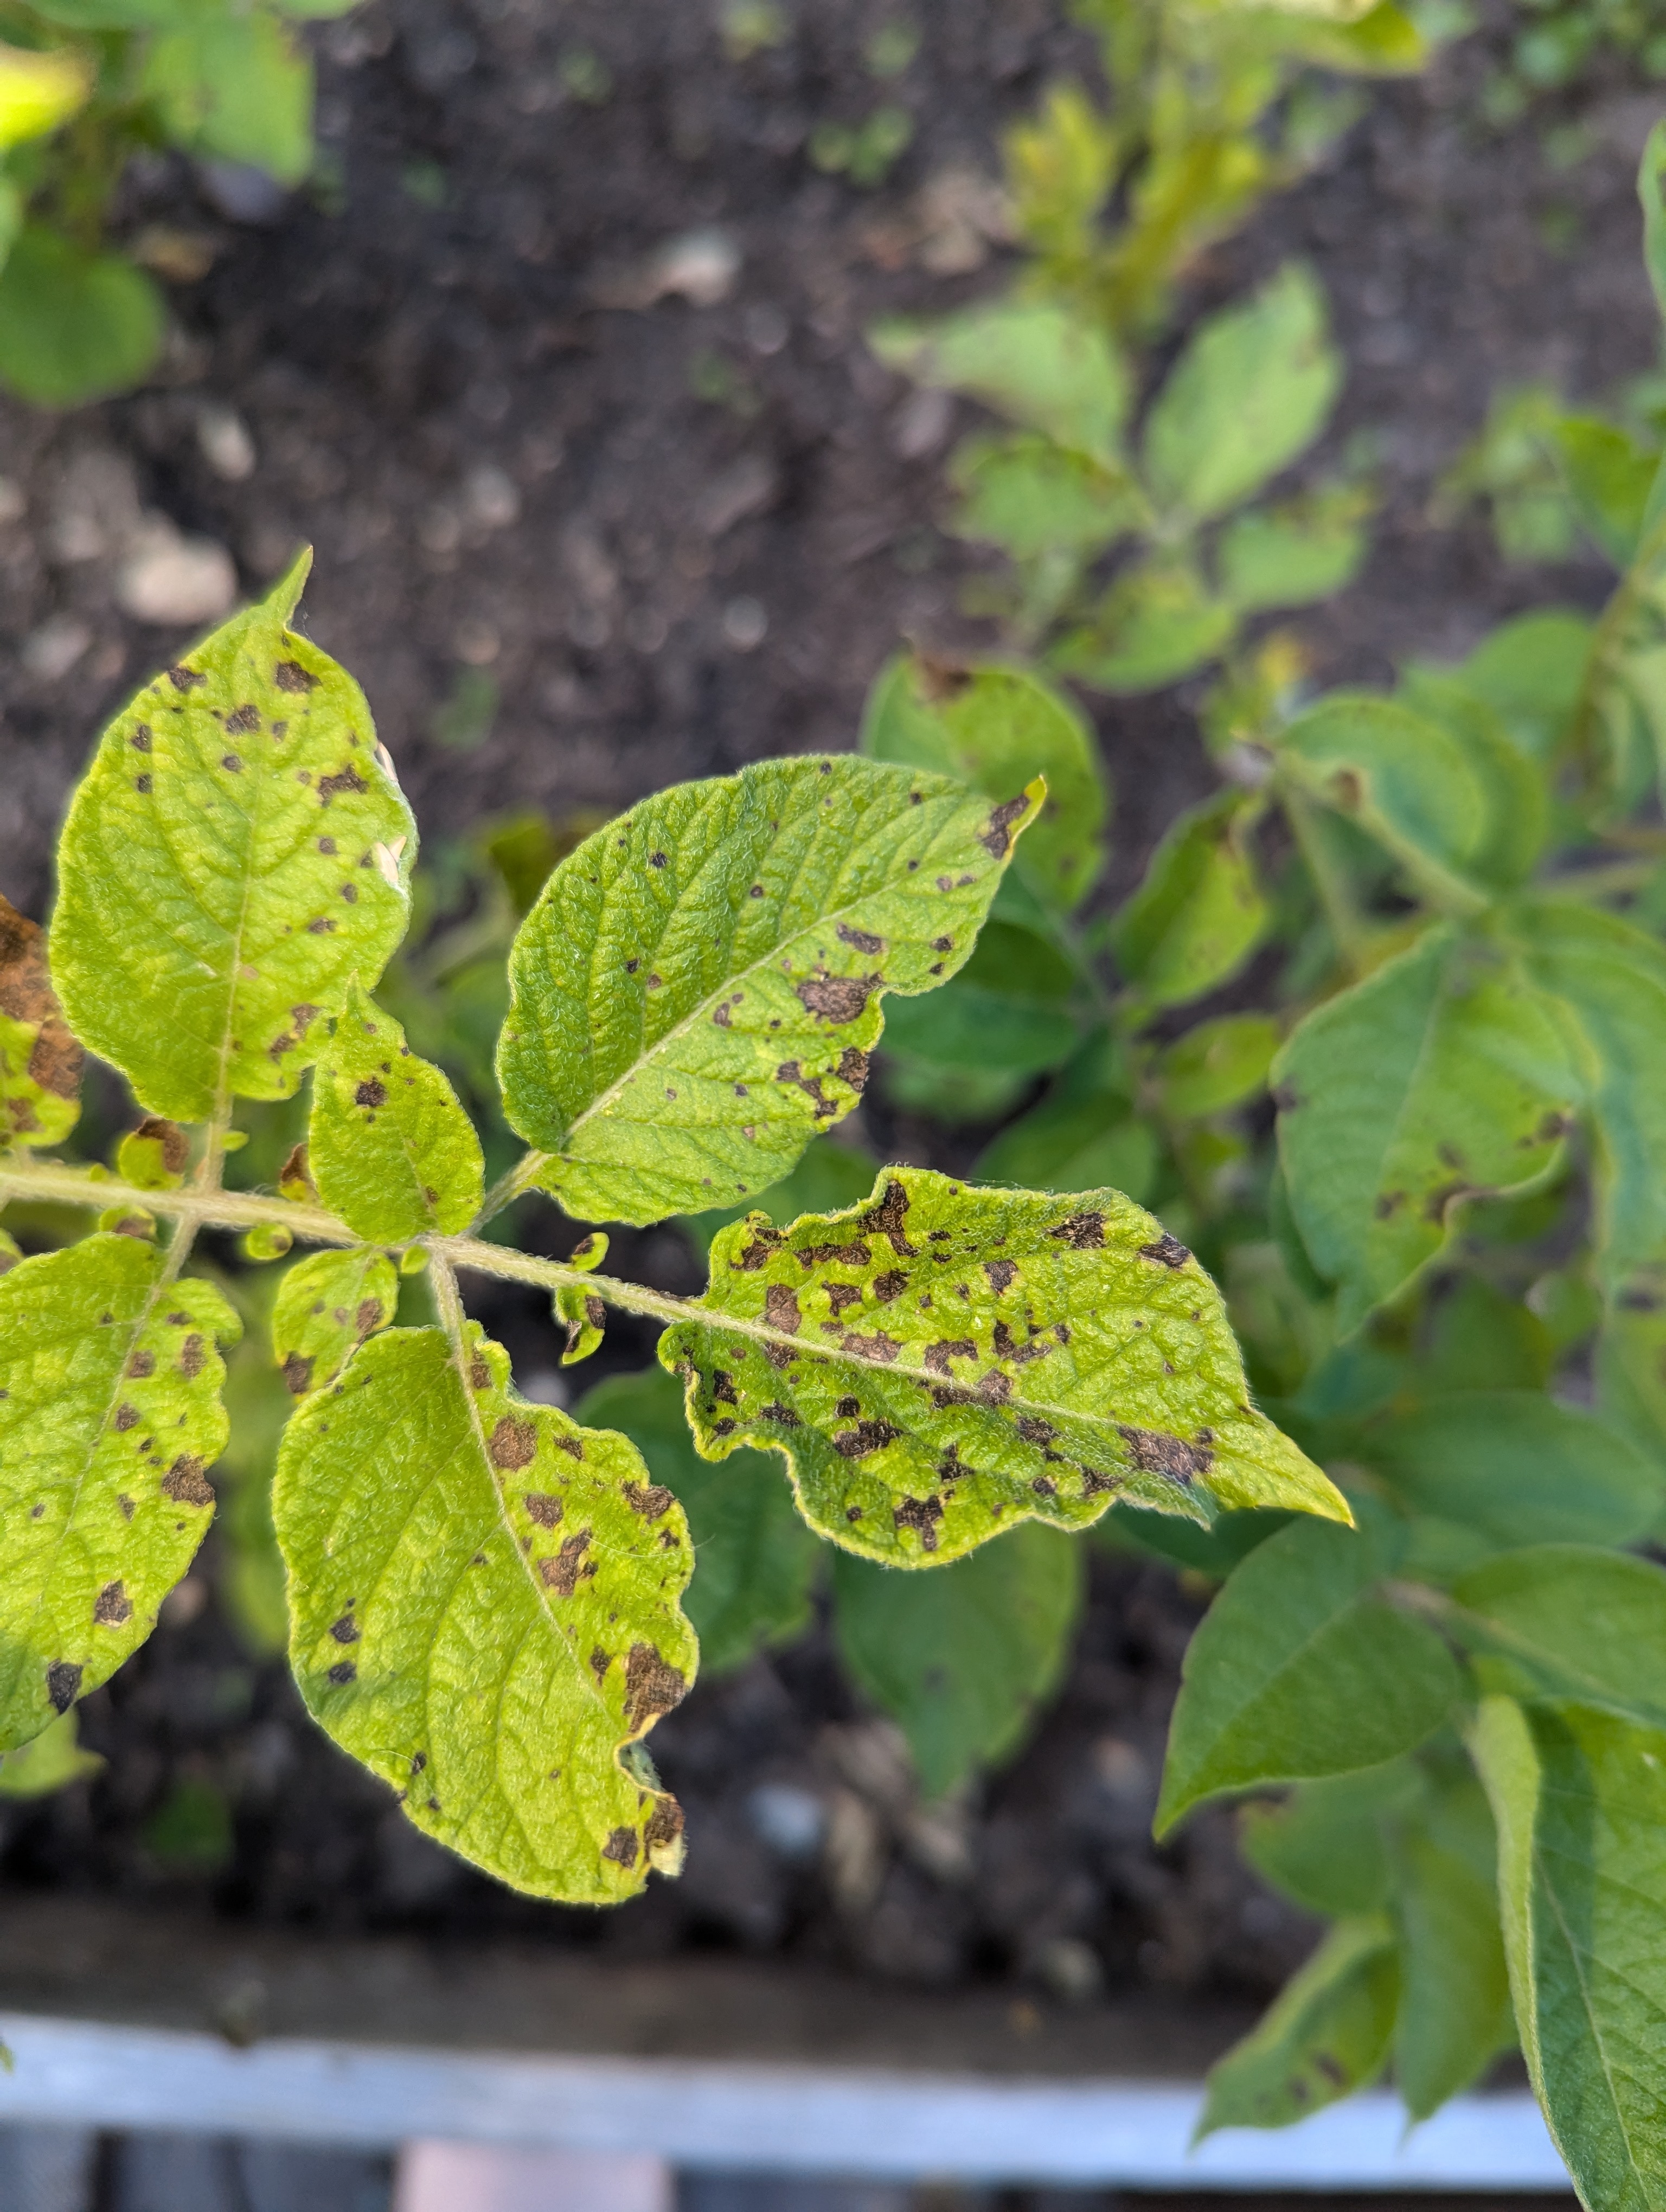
x,y
583,534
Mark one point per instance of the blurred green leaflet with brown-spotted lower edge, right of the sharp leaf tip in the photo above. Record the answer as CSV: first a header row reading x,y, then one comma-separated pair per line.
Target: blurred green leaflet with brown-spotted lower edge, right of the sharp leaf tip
x,y
1437,1078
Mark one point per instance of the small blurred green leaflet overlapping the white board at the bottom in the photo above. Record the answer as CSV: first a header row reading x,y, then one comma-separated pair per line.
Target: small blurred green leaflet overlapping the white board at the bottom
x,y
1324,2036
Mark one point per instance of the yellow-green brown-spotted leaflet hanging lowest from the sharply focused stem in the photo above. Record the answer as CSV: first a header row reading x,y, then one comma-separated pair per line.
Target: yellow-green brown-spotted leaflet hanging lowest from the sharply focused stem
x,y
486,1611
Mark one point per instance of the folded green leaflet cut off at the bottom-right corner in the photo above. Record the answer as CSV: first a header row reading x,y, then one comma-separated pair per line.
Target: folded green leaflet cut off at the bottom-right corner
x,y
1581,1806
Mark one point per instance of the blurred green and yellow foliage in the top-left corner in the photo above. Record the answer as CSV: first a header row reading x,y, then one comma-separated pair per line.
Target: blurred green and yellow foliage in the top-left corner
x,y
85,85
